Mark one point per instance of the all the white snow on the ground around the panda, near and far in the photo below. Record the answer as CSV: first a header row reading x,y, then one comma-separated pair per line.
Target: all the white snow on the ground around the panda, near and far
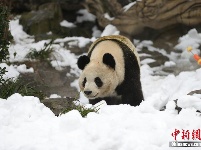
x,y
26,124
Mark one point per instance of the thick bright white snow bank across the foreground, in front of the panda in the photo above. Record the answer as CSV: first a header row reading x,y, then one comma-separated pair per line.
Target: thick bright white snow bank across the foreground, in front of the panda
x,y
25,123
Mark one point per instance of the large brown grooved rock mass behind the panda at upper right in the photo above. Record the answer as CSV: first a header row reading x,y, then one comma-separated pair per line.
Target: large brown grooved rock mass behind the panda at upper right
x,y
162,21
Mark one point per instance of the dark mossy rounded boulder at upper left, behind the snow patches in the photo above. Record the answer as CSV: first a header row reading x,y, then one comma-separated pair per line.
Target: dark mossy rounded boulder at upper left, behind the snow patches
x,y
46,19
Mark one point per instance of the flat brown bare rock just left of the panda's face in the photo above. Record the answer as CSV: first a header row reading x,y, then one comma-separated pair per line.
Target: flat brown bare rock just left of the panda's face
x,y
49,80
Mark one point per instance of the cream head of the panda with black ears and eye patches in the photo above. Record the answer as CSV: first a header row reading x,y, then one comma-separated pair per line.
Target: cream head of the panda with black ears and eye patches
x,y
98,77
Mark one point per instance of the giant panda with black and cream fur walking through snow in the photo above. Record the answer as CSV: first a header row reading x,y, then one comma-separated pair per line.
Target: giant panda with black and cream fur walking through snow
x,y
111,72
